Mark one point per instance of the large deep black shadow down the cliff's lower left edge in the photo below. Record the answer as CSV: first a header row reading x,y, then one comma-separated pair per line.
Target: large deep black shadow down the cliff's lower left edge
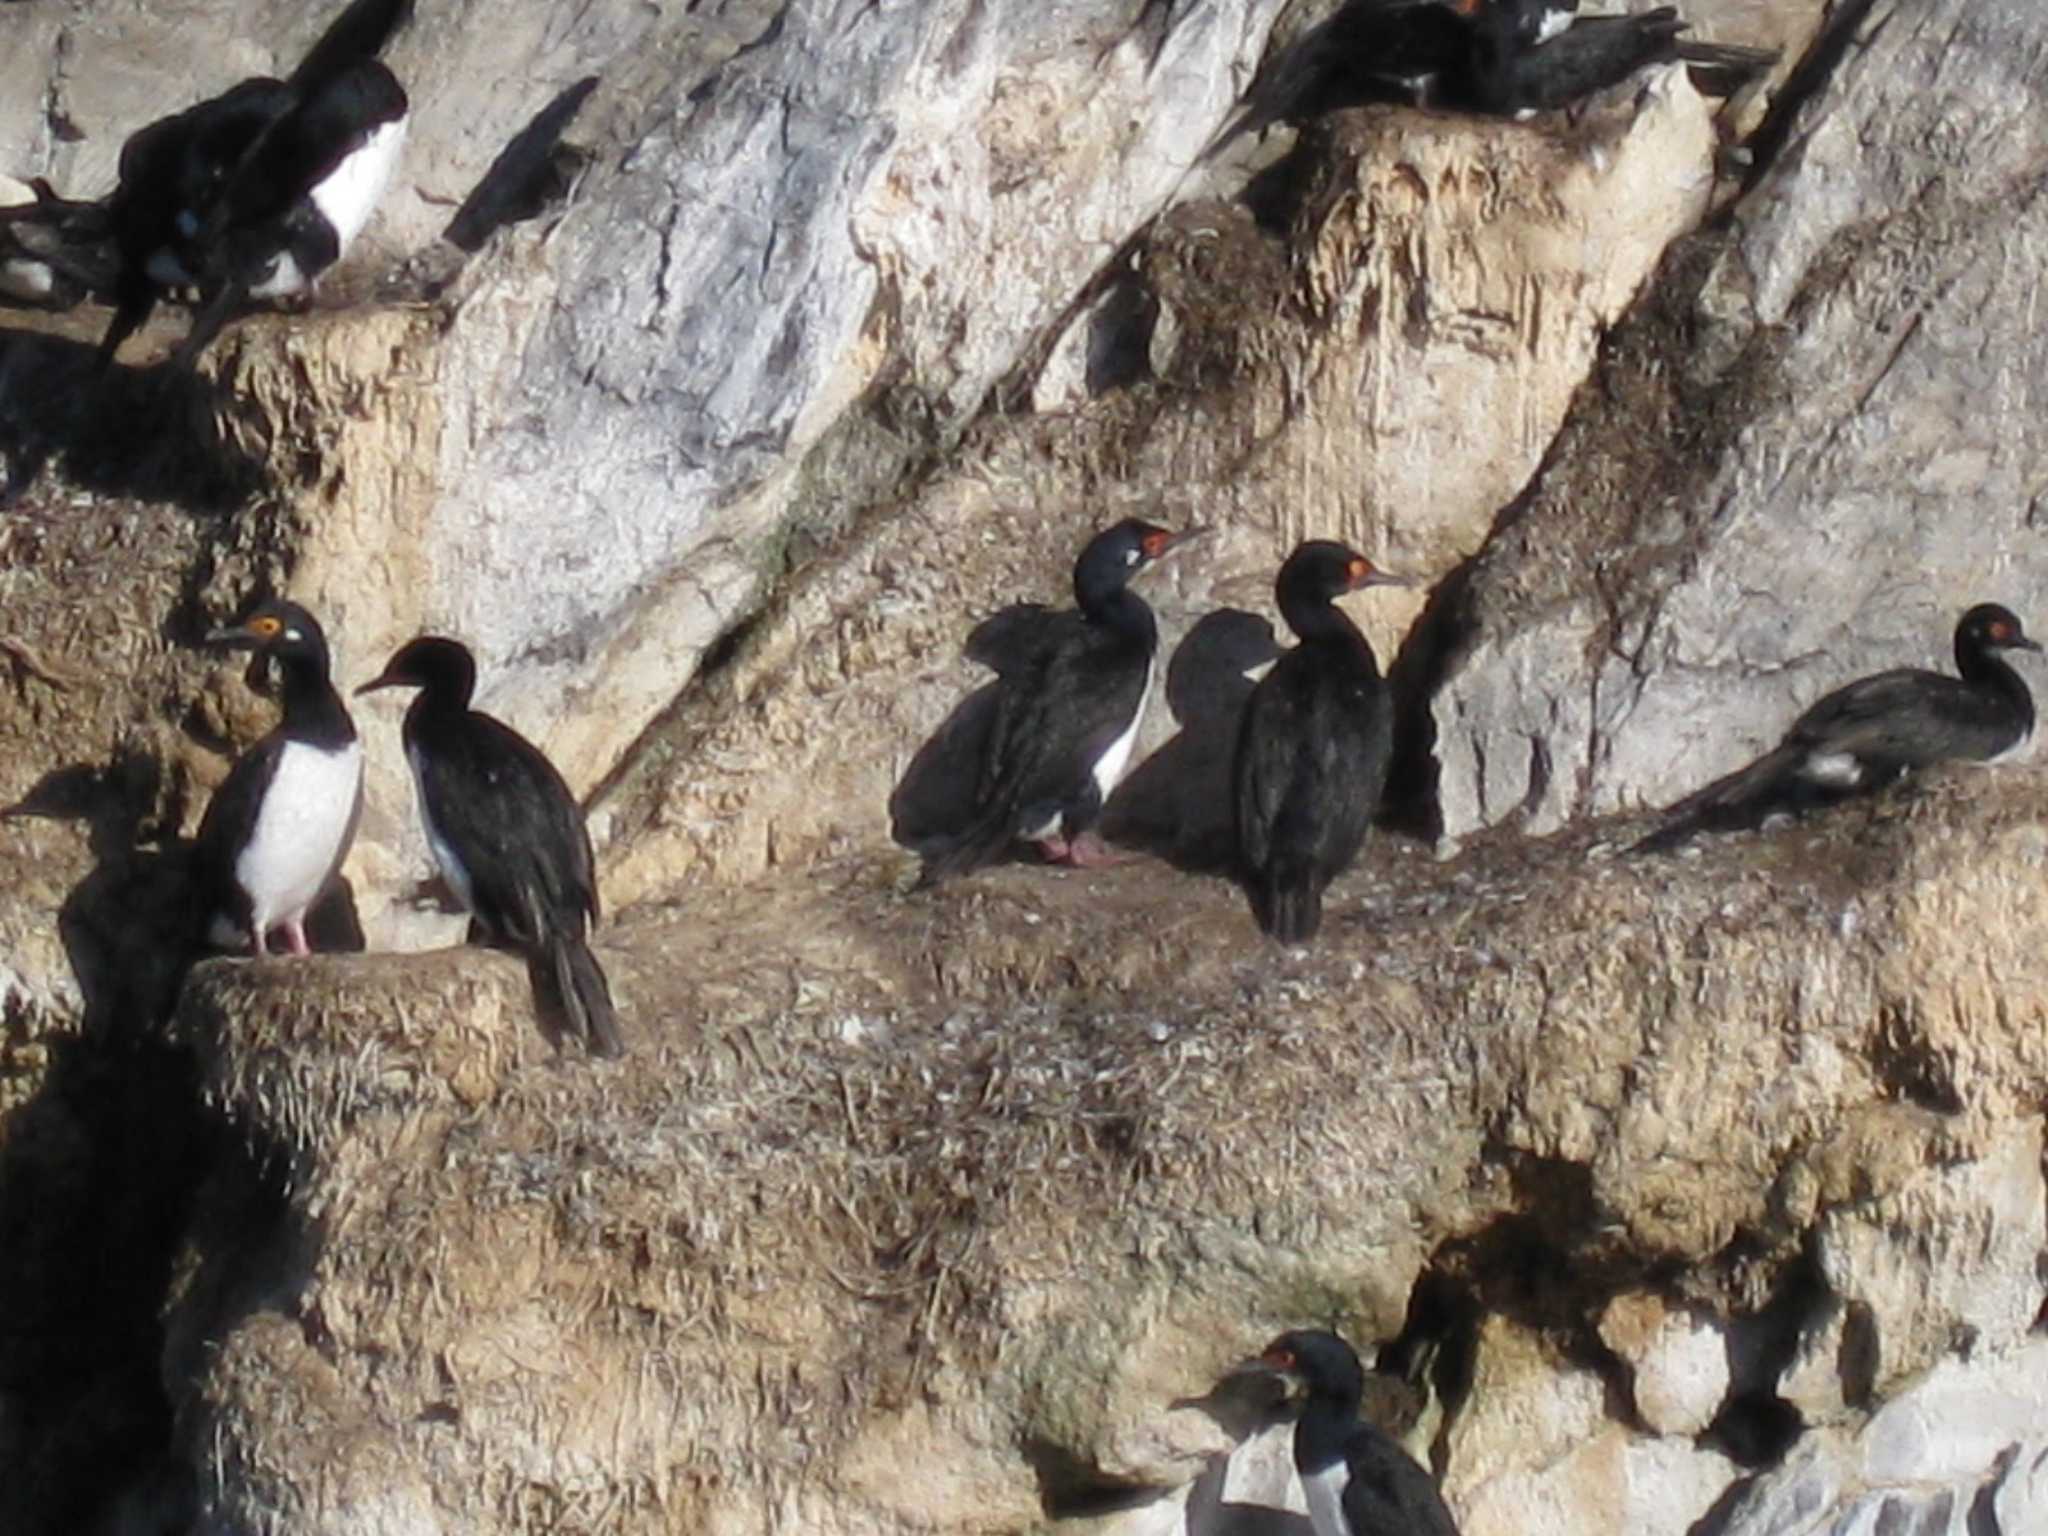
x,y
101,1168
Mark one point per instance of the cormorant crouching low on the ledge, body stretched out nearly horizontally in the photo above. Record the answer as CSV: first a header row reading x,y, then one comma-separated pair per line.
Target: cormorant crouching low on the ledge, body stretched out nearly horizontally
x,y
1875,732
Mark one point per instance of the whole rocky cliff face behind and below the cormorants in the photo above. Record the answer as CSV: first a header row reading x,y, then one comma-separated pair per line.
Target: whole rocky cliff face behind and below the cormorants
x,y
1701,1195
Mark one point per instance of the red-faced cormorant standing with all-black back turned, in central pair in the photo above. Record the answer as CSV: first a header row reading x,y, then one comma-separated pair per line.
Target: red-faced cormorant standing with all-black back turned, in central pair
x,y
1312,746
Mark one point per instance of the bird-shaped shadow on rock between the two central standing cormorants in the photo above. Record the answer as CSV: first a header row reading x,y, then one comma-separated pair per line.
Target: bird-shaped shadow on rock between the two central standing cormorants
x,y
1179,802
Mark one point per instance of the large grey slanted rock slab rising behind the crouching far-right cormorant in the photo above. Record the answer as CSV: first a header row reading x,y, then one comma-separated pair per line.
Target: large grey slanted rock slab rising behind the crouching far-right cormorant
x,y
1865,335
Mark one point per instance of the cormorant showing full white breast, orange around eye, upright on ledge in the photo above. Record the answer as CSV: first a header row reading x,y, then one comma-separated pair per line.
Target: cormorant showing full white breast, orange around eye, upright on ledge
x,y
278,830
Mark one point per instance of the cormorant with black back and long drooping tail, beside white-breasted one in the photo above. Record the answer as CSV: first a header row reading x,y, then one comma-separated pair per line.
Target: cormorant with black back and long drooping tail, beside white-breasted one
x,y
507,835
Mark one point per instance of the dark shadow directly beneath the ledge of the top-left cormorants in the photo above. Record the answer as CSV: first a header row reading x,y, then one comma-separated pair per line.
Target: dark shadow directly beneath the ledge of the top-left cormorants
x,y
161,435
